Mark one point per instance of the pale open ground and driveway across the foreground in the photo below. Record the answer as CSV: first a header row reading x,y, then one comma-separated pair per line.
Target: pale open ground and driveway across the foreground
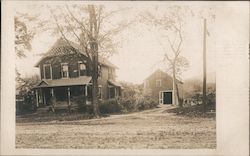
x,y
153,129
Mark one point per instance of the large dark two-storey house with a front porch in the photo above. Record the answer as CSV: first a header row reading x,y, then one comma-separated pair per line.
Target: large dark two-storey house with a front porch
x,y
65,74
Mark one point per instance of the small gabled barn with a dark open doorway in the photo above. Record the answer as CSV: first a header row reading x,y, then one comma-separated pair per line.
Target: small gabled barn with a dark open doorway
x,y
159,85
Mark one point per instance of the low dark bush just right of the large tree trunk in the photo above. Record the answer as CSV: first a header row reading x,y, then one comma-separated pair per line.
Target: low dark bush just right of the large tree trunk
x,y
109,106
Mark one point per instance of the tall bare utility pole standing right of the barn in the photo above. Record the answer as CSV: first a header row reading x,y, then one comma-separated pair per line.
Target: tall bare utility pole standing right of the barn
x,y
204,96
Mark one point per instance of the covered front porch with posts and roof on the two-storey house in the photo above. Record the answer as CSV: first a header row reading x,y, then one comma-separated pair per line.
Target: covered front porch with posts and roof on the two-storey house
x,y
61,93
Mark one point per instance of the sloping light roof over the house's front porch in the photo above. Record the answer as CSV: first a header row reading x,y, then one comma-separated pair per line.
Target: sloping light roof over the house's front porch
x,y
64,82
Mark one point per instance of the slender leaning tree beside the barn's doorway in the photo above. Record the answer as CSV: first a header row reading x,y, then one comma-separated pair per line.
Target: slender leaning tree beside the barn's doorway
x,y
171,22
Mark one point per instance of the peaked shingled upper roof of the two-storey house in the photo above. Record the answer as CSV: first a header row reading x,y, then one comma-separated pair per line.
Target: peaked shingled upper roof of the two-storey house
x,y
63,47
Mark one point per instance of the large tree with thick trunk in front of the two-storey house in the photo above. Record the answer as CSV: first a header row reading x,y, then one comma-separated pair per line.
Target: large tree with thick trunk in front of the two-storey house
x,y
93,29
